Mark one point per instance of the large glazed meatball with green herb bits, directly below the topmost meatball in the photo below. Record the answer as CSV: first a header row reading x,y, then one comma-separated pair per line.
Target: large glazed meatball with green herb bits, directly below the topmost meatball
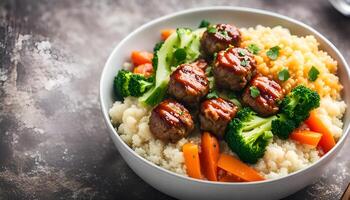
x,y
233,68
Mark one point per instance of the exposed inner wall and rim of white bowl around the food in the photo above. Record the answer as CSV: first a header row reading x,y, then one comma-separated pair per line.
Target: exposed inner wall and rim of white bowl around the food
x,y
147,35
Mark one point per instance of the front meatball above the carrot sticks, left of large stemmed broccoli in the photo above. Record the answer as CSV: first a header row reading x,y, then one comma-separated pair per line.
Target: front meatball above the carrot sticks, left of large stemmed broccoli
x,y
215,114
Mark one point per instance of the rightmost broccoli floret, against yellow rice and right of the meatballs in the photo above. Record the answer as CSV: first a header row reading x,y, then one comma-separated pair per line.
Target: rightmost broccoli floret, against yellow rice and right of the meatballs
x,y
299,102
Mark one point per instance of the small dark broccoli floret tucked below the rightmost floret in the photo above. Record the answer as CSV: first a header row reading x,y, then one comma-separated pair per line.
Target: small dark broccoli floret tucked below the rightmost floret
x,y
283,126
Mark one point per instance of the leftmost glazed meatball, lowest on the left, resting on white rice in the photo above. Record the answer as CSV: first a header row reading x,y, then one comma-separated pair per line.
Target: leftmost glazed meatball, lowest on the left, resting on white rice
x,y
170,121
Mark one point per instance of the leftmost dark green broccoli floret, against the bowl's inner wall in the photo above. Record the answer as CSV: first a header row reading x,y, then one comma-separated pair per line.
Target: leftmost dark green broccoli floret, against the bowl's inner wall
x,y
121,83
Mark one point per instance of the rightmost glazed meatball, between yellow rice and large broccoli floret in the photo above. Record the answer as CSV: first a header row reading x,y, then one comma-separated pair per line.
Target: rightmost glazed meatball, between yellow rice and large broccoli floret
x,y
265,103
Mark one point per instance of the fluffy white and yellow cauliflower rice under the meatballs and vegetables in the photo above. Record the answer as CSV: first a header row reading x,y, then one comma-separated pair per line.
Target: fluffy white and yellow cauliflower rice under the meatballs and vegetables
x,y
282,157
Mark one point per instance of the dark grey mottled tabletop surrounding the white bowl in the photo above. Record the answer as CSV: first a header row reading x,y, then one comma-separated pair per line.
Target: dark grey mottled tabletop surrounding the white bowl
x,y
53,141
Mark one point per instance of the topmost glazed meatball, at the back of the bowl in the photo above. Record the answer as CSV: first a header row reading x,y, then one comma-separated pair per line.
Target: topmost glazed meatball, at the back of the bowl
x,y
220,38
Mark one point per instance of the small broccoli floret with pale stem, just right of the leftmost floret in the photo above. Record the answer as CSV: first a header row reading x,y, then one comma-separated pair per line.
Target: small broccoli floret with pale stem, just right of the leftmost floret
x,y
139,84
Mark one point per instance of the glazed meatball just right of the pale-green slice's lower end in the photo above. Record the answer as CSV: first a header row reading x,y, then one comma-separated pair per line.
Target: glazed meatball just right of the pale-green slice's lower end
x,y
188,84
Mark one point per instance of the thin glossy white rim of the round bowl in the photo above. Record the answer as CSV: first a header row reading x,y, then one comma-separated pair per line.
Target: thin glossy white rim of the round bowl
x,y
105,113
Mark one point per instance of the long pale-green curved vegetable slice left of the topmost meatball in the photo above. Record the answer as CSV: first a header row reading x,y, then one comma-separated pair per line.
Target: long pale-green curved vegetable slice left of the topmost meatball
x,y
166,59
